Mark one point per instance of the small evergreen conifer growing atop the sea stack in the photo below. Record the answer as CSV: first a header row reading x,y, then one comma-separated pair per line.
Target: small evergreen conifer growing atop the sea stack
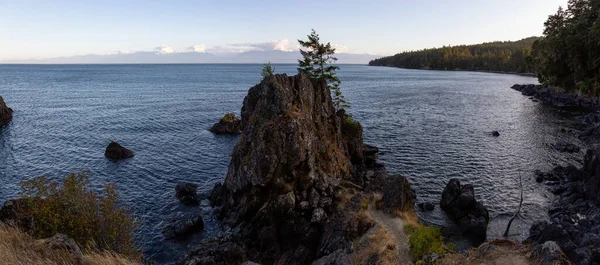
x,y
316,61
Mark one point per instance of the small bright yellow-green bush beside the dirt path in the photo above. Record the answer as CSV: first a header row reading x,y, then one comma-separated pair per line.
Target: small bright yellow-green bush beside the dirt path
x,y
423,240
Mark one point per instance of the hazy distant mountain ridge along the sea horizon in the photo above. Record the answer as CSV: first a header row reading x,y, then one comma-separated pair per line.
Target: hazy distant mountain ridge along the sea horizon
x,y
274,56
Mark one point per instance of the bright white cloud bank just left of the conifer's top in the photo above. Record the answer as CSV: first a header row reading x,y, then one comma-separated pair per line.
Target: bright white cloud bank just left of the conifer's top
x,y
275,45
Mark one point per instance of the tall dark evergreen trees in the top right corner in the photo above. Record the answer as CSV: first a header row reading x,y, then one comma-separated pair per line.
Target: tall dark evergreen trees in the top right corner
x,y
568,55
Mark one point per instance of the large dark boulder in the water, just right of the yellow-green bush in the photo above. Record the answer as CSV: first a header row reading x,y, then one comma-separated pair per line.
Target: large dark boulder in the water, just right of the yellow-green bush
x,y
459,203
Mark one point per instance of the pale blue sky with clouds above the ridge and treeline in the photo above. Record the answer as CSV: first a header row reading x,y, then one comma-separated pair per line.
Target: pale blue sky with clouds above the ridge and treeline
x,y
31,29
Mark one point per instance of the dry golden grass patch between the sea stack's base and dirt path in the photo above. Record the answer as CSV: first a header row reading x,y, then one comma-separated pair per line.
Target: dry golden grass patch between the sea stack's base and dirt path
x,y
377,247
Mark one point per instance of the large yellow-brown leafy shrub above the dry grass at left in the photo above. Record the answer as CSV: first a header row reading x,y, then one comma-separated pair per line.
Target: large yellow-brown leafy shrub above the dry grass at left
x,y
94,221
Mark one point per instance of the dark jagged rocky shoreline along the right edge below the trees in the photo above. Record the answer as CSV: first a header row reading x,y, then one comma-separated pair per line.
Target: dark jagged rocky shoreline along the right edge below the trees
x,y
574,223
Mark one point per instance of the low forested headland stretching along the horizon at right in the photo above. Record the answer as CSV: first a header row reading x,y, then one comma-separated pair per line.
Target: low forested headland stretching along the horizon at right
x,y
504,56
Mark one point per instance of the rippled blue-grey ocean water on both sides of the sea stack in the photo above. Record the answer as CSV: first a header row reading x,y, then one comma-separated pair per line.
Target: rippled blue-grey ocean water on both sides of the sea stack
x,y
431,126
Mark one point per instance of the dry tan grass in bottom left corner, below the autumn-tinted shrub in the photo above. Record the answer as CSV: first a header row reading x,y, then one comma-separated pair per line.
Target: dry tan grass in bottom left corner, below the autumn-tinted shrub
x,y
18,248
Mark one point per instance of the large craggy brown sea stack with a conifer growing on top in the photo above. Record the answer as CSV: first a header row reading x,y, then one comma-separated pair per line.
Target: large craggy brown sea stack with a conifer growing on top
x,y
287,177
